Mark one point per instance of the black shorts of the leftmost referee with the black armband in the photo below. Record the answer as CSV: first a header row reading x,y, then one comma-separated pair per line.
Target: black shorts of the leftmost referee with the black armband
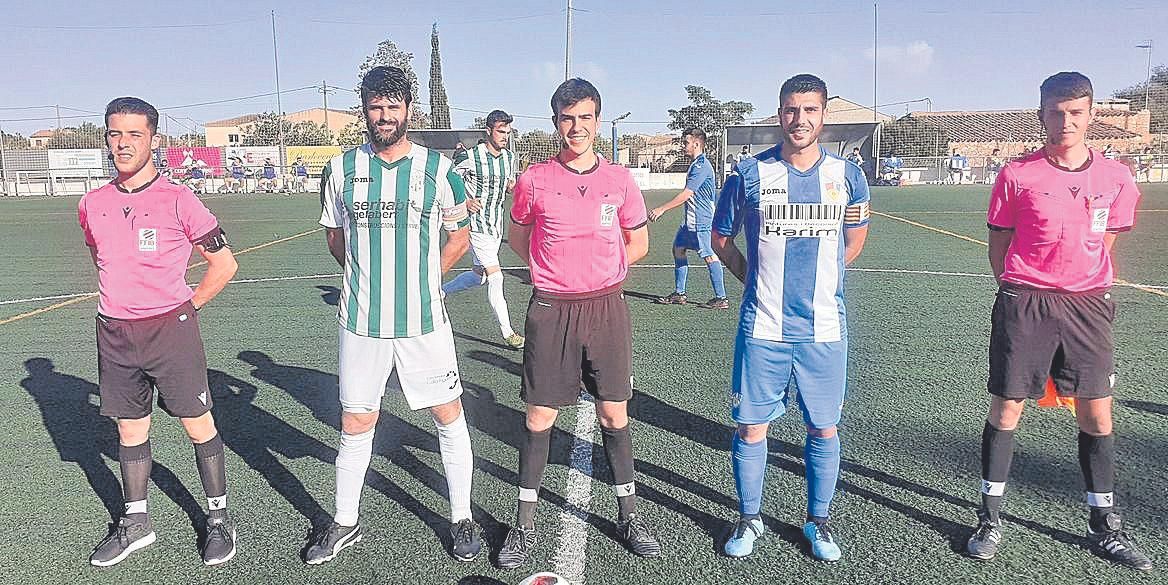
x,y
140,356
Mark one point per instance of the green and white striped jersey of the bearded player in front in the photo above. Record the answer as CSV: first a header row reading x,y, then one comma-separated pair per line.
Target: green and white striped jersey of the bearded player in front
x,y
392,214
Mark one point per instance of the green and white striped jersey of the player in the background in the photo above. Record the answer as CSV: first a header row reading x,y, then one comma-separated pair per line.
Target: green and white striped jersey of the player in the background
x,y
486,177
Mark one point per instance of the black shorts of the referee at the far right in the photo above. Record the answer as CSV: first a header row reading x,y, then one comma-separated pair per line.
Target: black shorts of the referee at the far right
x,y
1065,337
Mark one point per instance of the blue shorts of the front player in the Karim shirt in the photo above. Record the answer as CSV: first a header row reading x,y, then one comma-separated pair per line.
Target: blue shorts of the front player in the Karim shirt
x,y
768,373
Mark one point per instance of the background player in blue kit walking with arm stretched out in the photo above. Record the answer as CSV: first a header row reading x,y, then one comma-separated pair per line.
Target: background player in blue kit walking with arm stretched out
x,y
694,233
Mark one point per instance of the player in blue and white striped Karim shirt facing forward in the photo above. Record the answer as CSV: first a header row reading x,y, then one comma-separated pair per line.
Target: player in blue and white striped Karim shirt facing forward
x,y
805,218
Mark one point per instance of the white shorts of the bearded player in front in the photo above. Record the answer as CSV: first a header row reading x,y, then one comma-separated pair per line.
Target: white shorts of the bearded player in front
x,y
427,368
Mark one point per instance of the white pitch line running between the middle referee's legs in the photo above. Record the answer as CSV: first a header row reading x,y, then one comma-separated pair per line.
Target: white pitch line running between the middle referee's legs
x,y
571,554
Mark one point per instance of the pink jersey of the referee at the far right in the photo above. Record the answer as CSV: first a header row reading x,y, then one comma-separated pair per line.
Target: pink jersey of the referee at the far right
x,y
1060,219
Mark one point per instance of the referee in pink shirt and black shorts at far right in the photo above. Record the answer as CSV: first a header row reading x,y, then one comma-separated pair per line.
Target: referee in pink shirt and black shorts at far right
x,y
1054,217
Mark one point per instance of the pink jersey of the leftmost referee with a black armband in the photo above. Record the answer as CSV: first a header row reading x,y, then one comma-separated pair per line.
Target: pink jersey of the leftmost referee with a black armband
x,y
143,241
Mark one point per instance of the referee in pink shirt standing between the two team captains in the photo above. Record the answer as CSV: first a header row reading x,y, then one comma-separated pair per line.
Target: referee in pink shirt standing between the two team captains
x,y
579,221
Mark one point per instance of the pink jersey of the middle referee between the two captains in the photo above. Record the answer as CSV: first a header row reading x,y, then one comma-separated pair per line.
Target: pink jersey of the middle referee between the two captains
x,y
576,219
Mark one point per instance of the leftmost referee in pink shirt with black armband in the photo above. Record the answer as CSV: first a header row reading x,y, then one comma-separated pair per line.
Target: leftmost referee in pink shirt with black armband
x,y
141,229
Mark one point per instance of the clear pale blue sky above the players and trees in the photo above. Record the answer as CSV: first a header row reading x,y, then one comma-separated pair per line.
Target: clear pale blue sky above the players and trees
x,y
510,54
